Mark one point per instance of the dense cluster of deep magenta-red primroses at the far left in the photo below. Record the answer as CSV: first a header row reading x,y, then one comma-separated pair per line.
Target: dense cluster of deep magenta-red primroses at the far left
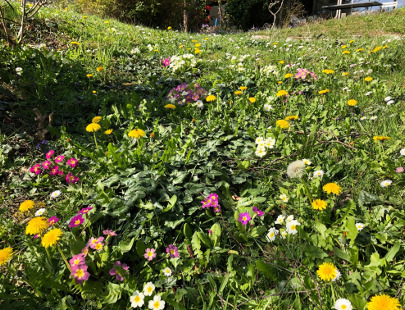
x,y
54,169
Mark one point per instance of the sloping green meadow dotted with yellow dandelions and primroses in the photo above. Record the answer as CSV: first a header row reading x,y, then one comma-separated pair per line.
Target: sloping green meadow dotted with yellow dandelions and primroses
x,y
188,171
